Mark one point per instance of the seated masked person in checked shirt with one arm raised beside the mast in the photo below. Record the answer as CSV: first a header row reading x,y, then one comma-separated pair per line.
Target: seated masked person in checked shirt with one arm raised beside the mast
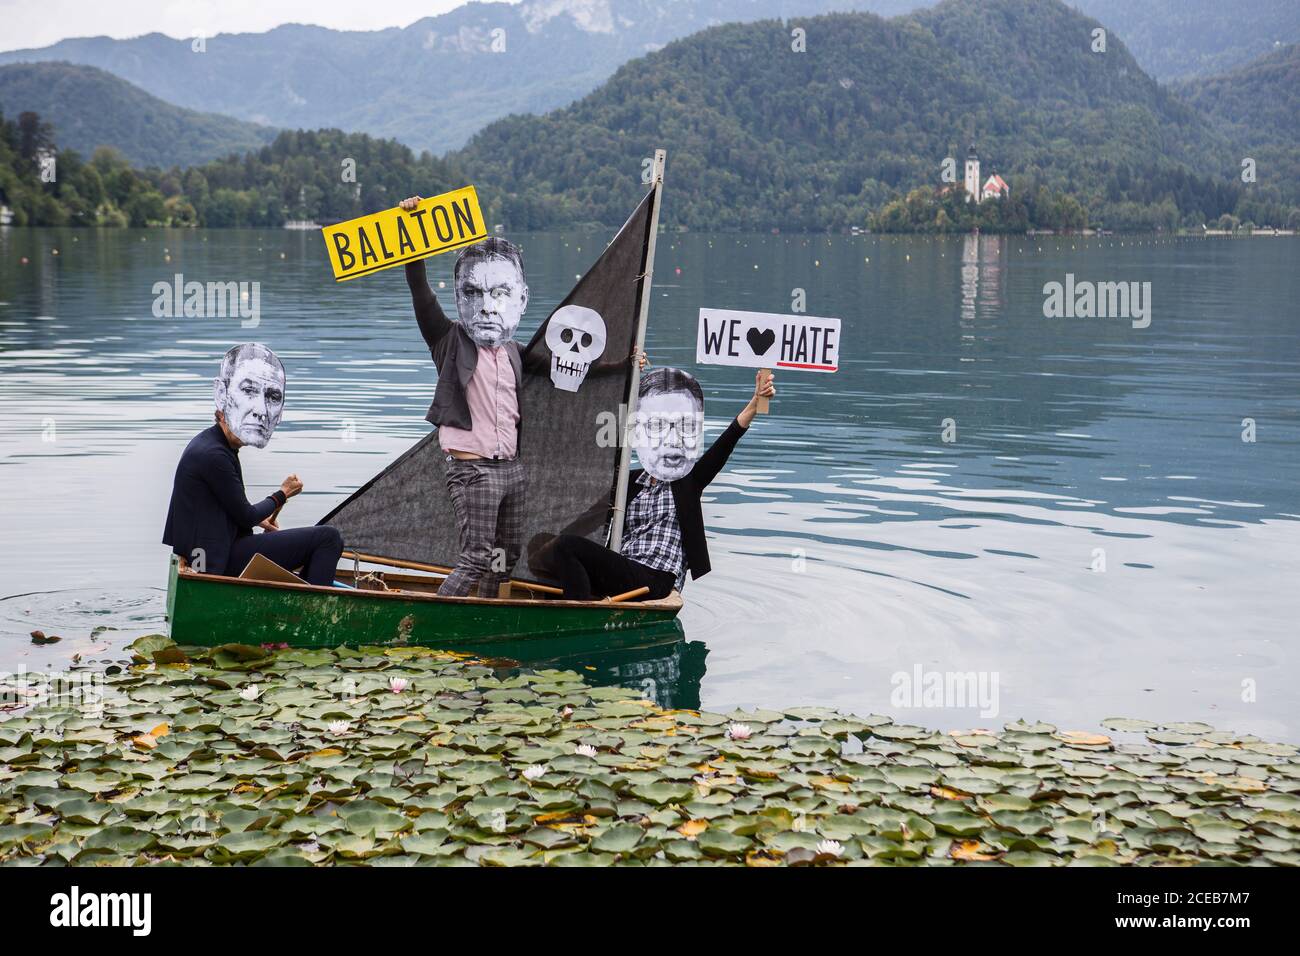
x,y
664,533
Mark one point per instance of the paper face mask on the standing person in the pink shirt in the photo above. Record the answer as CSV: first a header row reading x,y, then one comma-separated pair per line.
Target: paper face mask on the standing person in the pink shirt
x,y
491,292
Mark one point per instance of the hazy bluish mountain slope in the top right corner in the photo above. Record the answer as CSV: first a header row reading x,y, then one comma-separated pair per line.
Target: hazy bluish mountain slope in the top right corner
x,y
1193,38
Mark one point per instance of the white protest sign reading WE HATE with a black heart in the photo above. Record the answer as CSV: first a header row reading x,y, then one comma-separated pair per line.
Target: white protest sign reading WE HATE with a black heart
x,y
768,340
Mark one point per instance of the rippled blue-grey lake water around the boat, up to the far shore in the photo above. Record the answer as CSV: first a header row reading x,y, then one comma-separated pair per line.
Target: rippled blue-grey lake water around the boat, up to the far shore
x,y
1098,540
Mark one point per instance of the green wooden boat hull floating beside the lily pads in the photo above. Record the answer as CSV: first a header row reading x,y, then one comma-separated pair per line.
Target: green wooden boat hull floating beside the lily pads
x,y
211,609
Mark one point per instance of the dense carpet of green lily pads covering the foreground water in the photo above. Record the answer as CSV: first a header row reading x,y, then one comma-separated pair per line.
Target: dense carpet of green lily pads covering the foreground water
x,y
408,756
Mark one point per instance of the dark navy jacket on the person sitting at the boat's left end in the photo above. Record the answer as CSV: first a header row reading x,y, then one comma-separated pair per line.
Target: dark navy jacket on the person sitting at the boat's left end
x,y
209,507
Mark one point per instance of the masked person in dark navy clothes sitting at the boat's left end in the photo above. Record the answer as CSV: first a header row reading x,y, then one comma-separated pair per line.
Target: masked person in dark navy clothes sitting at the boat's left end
x,y
210,520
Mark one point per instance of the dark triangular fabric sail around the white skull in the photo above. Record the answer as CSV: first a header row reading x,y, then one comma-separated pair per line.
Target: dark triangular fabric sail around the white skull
x,y
569,440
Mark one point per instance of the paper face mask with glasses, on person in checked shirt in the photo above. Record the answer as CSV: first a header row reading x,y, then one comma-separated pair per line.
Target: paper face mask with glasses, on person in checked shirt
x,y
670,423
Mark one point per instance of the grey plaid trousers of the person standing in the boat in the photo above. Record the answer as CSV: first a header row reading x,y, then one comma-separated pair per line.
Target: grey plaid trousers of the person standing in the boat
x,y
488,496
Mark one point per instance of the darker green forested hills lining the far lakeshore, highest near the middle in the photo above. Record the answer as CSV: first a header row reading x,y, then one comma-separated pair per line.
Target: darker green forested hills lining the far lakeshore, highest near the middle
x,y
816,124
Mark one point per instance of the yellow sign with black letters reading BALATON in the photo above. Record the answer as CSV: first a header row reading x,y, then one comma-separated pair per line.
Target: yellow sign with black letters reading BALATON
x,y
395,237
